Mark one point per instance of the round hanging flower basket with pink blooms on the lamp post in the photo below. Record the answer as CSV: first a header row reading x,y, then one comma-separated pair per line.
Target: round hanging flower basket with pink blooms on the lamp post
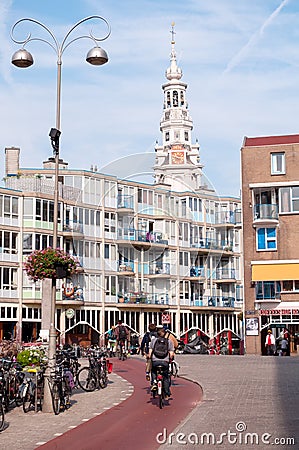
x,y
50,263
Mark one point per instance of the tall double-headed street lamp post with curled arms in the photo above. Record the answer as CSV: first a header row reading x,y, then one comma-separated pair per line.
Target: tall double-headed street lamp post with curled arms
x,y
22,58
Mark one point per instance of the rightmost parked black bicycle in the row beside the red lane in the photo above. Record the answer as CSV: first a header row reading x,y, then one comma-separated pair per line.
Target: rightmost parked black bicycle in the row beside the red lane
x,y
96,375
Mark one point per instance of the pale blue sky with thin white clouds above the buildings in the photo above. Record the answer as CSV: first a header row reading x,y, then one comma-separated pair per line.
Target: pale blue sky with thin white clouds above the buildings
x,y
240,60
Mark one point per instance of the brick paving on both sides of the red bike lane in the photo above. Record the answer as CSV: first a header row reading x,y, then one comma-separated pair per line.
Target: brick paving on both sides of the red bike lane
x,y
254,397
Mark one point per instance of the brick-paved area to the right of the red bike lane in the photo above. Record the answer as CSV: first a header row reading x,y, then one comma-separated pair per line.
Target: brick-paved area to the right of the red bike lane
x,y
242,395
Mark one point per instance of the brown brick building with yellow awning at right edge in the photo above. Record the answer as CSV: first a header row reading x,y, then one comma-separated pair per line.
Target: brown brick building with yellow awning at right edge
x,y
270,209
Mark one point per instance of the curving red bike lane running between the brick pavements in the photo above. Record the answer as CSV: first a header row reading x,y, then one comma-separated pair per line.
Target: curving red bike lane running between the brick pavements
x,y
136,421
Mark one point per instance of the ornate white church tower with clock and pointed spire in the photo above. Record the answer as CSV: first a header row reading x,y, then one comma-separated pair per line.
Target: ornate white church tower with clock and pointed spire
x,y
177,159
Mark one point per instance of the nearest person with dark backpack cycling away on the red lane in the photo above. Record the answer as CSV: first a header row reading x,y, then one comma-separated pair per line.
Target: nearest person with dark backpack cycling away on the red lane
x,y
161,352
